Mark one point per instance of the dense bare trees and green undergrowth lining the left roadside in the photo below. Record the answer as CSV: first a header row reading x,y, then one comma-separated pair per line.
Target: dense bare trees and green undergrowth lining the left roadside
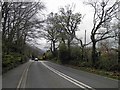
x,y
17,23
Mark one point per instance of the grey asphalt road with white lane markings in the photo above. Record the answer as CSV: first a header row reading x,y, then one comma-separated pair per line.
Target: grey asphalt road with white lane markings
x,y
45,74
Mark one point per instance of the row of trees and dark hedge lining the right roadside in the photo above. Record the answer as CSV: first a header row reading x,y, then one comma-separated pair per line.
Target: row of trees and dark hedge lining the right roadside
x,y
66,48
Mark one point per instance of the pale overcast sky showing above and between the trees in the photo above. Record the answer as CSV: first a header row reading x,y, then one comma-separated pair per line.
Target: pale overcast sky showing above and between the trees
x,y
85,10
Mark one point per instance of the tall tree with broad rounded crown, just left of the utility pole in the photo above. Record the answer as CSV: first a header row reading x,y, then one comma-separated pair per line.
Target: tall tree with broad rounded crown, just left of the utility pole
x,y
69,22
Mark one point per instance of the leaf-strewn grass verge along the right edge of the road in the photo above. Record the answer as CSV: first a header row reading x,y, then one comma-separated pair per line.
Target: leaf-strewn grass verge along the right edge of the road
x,y
109,74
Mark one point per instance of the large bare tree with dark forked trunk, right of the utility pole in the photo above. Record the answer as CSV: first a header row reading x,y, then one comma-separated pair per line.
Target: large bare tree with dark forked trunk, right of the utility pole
x,y
103,13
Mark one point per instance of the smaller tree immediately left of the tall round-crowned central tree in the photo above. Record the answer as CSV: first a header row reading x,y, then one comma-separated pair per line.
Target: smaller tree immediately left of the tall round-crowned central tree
x,y
50,31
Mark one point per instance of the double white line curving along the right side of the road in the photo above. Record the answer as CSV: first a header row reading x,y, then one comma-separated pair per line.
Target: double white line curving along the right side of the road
x,y
72,80
